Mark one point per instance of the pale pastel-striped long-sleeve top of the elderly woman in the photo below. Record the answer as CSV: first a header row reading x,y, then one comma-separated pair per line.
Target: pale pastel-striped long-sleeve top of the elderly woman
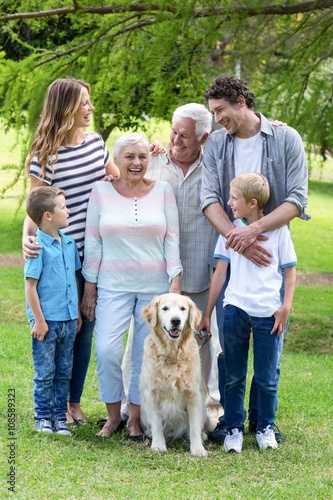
x,y
132,244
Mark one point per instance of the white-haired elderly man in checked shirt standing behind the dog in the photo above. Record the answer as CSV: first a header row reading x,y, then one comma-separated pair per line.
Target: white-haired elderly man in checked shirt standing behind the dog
x,y
181,166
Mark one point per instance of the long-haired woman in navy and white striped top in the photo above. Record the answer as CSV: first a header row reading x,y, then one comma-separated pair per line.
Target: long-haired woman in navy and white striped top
x,y
64,156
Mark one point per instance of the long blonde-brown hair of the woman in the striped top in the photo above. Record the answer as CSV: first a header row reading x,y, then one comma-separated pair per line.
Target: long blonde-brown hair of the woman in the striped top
x,y
62,100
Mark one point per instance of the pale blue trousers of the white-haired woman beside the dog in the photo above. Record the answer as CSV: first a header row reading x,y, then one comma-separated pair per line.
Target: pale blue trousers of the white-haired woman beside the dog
x,y
114,311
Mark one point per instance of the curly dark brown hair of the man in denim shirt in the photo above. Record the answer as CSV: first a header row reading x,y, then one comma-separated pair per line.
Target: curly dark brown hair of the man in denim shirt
x,y
229,88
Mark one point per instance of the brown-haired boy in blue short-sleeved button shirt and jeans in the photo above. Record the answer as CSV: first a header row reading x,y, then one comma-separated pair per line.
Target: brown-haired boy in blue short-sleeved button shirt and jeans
x,y
52,307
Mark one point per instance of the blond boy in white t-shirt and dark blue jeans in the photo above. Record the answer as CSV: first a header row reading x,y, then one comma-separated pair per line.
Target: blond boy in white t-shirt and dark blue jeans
x,y
252,301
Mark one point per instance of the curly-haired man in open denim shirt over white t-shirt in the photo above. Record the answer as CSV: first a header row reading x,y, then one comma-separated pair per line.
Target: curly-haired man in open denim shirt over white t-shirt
x,y
248,142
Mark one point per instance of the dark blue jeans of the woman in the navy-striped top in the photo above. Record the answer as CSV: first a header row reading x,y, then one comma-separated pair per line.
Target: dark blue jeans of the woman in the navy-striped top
x,y
82,353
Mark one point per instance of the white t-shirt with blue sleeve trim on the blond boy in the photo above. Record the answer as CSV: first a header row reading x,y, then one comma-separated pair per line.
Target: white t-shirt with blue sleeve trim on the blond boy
x,y
256,290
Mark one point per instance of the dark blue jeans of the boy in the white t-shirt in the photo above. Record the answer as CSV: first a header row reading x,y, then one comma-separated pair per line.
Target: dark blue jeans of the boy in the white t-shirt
x,y
237,329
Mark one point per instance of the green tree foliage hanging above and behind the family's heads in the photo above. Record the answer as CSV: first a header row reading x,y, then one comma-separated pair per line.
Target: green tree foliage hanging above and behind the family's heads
x,y
147,58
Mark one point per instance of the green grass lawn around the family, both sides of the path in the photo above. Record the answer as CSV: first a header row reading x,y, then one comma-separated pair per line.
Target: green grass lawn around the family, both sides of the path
x,y
86,467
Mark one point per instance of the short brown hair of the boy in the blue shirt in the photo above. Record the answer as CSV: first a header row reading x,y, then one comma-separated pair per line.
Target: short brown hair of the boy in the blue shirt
x,y
40,200
